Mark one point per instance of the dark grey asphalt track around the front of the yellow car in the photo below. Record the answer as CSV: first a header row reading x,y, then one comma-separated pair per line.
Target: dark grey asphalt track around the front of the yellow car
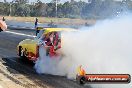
x,y
8,42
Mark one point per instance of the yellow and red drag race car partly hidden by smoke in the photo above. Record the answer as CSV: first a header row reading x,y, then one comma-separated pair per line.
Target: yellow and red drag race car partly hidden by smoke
x,y
48,37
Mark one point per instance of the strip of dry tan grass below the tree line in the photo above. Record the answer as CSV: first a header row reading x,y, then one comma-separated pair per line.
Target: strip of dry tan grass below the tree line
x,y
66,21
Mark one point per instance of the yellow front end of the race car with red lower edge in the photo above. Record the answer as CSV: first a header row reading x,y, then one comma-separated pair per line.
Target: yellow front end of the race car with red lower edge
x,y
28,49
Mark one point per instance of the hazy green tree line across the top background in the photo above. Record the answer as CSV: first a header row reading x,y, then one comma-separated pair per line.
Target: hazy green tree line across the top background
x,y
70,9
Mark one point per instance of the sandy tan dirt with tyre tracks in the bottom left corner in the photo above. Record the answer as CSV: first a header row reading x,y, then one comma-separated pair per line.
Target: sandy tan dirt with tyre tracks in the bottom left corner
x,y
10,78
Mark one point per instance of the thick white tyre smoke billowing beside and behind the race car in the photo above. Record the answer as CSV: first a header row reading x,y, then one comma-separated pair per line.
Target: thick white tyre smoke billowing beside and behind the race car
x,y
105,48
